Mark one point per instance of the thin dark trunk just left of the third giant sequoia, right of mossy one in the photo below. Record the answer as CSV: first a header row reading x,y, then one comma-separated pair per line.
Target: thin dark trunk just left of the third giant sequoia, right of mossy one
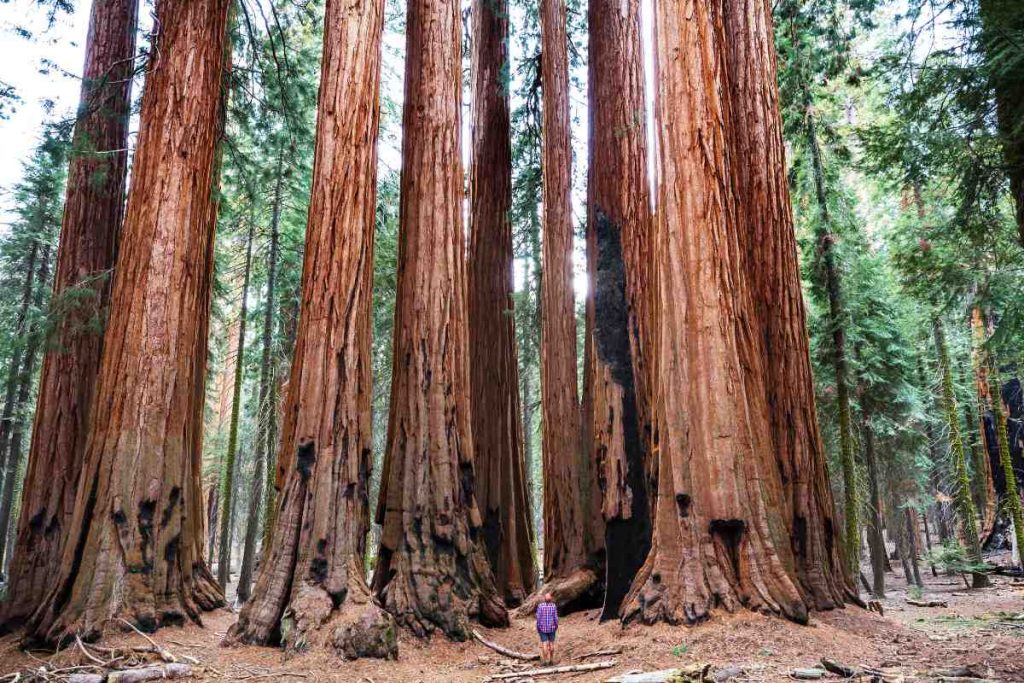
x,y
266,412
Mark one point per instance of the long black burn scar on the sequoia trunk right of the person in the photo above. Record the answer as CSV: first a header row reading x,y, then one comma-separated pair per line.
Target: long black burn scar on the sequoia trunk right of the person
x,y
627,541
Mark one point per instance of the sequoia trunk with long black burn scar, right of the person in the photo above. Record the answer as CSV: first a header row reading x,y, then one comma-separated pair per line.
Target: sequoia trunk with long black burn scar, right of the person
x,y
620,298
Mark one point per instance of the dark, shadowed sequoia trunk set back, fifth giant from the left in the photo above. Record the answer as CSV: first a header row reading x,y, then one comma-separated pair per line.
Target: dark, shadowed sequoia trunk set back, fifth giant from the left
x,y
498,443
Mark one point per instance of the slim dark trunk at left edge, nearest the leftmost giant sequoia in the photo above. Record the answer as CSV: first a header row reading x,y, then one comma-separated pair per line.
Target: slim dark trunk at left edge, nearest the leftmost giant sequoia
x,y
26,378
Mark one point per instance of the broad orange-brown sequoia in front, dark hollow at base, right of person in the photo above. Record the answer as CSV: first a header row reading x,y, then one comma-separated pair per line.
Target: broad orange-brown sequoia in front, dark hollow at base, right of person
x,y
720,537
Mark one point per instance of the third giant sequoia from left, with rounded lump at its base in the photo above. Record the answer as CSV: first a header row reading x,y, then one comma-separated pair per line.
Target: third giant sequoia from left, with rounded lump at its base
x,y
312,587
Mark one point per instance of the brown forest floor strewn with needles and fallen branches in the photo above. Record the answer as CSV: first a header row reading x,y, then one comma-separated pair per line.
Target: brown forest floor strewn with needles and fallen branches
x,y
983,630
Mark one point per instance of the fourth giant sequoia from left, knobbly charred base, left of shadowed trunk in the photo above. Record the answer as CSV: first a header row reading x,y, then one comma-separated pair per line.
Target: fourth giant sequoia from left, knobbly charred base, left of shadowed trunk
x,y
433,572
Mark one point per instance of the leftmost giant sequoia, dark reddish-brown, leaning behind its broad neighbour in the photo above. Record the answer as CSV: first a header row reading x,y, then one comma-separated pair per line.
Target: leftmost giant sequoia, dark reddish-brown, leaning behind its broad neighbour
x,y
94,208
